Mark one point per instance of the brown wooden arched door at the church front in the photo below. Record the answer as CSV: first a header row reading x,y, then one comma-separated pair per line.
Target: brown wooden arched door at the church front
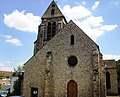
x,y
72,89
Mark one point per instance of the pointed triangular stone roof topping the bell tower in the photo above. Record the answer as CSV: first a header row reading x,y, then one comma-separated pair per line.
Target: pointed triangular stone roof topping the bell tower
x,y
57,12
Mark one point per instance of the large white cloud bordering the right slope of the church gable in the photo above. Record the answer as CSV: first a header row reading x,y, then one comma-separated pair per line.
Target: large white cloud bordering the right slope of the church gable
x,y
93,26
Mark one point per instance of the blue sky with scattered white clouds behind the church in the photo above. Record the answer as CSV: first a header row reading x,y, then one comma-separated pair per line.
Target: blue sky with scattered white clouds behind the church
x,y
19,20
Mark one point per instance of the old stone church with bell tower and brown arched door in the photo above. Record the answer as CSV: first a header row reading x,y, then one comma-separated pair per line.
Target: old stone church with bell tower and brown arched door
x,y
66,62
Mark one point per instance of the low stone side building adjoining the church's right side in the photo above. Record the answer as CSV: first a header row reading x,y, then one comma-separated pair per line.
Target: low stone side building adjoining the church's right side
x,y
111,78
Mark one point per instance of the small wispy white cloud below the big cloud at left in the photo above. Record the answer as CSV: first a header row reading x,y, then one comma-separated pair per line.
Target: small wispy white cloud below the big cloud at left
x,y
12,41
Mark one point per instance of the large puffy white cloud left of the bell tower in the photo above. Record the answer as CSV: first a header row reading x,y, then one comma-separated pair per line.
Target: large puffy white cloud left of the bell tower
x,y
22,21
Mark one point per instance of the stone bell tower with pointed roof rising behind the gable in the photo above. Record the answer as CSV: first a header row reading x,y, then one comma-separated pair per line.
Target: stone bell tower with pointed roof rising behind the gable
x,y
52,21
